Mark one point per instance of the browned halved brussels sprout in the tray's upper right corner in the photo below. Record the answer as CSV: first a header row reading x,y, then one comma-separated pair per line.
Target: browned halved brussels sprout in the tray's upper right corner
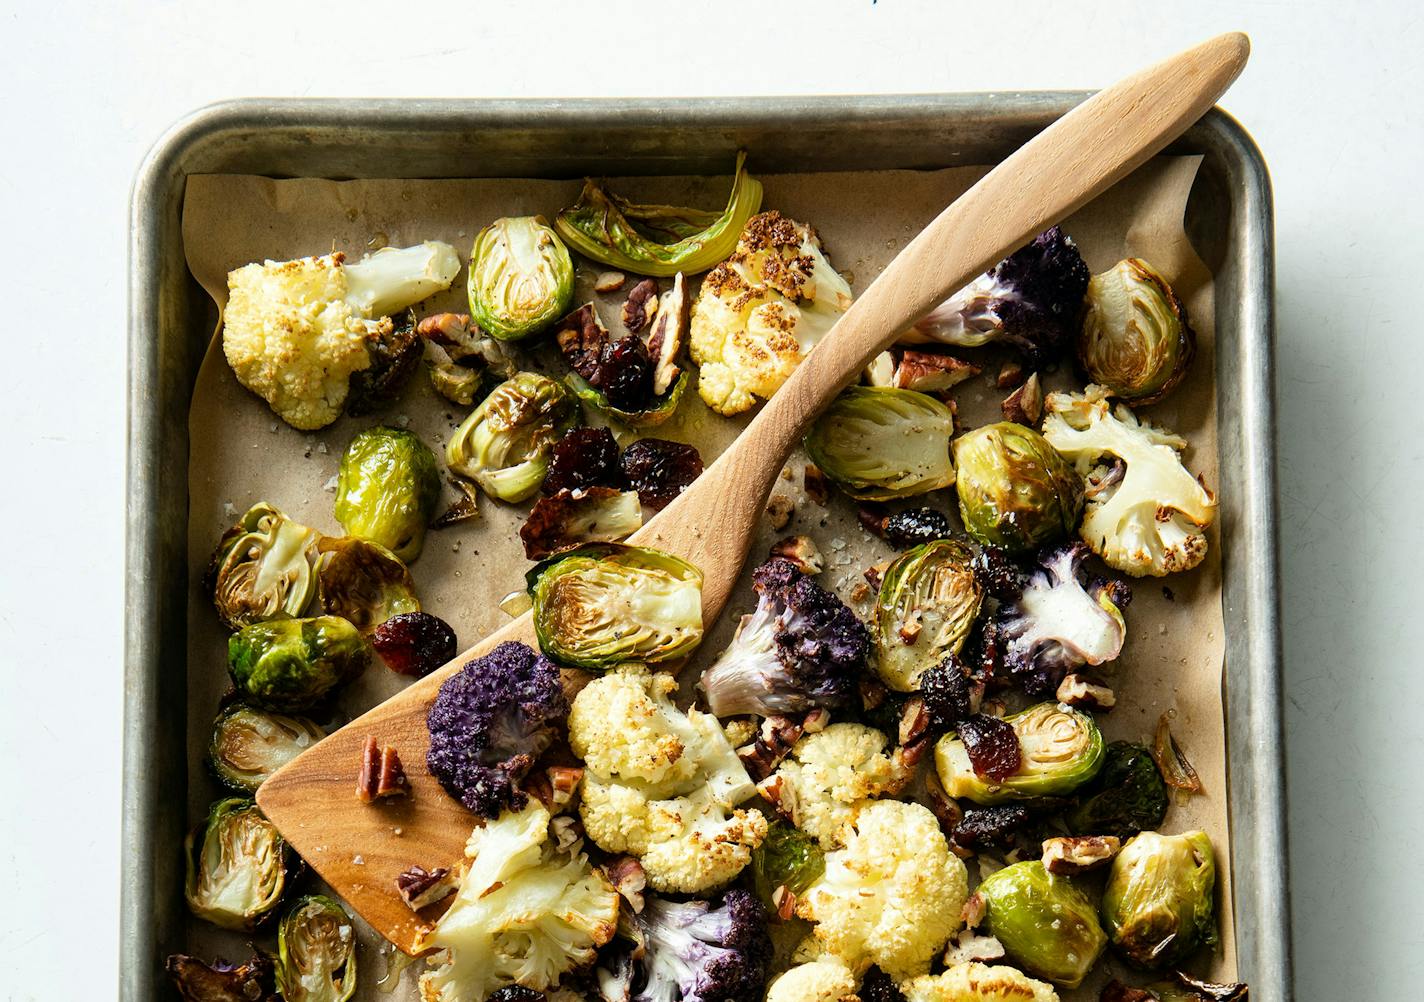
x,y
1136,339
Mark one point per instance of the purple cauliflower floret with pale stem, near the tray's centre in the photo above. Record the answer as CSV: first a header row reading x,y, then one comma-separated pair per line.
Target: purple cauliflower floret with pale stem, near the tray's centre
x,y
801,650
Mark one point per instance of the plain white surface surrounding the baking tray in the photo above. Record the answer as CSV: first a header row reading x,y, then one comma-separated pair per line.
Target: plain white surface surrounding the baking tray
x,y
1332,96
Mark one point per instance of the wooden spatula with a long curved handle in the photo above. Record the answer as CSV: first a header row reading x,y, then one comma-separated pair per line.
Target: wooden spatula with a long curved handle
x,y
360,849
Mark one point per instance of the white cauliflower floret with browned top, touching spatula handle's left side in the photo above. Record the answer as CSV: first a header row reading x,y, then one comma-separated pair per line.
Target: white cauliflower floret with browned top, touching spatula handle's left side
x,y
763,311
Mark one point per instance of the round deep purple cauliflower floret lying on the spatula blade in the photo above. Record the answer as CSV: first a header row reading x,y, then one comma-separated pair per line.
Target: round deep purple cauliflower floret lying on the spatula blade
x,y
491,722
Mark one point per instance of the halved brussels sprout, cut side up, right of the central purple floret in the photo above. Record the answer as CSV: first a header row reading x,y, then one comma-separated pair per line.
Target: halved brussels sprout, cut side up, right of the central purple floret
x,y
928,604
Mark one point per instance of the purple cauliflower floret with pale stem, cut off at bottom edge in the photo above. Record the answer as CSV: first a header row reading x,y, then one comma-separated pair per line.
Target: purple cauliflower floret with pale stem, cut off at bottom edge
x,y
690,951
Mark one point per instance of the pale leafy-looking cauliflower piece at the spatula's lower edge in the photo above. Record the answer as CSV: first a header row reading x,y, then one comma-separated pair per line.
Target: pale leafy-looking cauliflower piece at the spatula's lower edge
x,y
526,913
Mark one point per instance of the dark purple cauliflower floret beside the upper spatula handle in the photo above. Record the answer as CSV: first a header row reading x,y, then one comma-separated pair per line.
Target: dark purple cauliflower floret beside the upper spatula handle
x,y
1029,301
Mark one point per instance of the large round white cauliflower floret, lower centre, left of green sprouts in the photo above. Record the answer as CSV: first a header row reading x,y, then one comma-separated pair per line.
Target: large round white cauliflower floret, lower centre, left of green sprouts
x,y
892,896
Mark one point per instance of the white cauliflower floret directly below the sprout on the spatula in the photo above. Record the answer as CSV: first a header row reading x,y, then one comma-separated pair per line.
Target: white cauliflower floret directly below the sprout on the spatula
x,y
663,785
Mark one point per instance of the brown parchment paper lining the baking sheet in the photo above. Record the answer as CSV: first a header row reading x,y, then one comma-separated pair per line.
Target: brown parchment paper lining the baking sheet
x,y
241,453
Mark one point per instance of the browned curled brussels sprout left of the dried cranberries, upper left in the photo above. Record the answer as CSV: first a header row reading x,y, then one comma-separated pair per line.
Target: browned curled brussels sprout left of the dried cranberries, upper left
x,y
505,445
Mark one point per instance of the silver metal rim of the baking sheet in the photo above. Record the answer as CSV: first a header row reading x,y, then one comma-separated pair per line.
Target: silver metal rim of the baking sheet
x,y
170,318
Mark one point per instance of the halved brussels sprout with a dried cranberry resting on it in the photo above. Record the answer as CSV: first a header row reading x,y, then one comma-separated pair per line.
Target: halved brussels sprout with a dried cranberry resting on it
x,y
1060,751
